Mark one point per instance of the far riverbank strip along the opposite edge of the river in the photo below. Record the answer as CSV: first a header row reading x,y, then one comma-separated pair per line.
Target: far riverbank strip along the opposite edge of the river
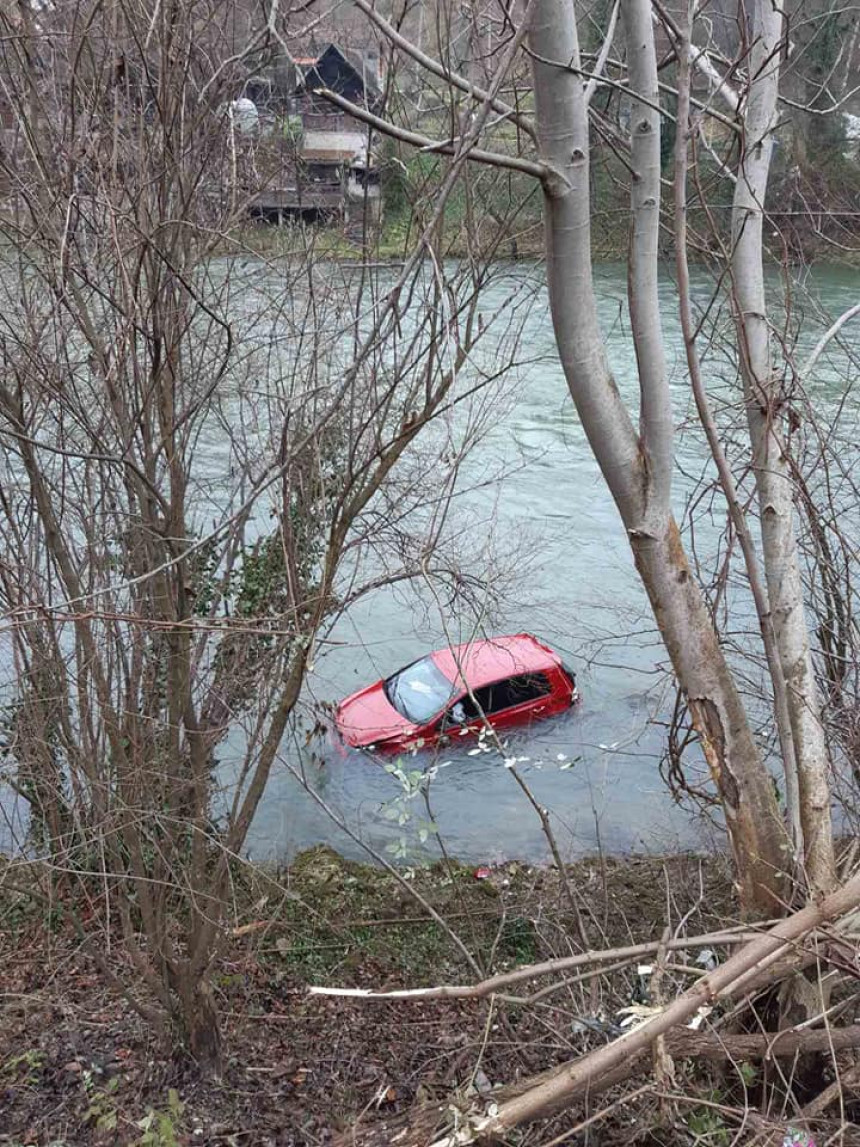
x,y
507,220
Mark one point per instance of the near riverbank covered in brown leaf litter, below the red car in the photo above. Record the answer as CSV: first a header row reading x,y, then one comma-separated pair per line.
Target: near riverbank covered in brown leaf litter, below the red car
x,y
80,1066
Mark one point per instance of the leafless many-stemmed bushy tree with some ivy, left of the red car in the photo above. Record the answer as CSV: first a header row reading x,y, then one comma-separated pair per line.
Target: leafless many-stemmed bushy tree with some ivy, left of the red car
x,y
205,462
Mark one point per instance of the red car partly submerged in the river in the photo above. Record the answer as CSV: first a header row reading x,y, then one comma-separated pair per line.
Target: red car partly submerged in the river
x,y
451,693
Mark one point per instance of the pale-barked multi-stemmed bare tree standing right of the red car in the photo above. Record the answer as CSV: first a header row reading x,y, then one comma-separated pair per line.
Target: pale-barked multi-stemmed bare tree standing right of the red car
x,y
738,65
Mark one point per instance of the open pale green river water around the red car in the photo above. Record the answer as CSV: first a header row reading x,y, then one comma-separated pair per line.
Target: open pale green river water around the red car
x,y
597,768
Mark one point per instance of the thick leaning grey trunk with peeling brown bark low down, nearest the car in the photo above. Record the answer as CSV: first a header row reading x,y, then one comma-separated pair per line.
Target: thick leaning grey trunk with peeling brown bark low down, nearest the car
x,y
636,467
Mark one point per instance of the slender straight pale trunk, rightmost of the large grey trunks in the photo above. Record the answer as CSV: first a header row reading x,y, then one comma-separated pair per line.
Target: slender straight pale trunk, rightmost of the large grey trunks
x,y
771,467
